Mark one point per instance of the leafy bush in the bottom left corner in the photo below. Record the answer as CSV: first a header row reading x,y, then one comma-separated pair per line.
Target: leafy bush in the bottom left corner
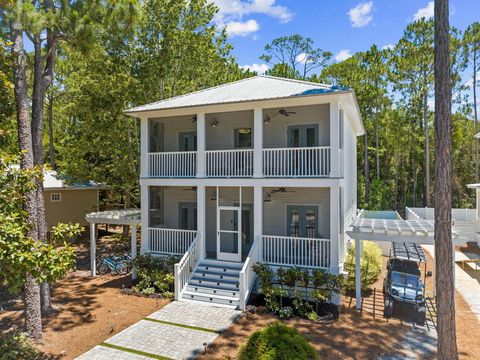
x,y
16,346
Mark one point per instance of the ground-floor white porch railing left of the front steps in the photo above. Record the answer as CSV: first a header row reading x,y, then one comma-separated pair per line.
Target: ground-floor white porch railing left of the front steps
x,y
170,241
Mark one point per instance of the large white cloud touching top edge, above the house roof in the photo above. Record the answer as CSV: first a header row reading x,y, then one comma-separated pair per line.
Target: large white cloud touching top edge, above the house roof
x,y
237,9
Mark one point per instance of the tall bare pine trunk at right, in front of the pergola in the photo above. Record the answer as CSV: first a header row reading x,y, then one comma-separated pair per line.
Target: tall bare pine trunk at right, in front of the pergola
x,y
444,279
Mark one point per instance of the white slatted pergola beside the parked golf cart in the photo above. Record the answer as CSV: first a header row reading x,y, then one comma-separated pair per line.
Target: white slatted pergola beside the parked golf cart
x,y
420,231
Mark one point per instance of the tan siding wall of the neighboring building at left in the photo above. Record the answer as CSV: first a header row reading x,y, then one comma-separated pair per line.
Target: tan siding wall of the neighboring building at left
x,y
73,207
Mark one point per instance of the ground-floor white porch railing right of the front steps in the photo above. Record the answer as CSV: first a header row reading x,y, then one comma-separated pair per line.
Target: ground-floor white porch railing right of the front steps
x,y
304,252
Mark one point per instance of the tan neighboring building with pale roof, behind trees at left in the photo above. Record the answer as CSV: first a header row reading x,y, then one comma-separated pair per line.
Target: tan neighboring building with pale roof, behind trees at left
x,y
68,203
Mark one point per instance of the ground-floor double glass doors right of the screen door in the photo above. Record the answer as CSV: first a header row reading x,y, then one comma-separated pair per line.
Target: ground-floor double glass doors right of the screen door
x,y
302,221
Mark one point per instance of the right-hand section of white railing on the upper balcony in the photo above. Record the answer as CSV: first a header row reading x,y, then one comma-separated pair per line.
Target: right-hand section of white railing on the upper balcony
x,y
299,161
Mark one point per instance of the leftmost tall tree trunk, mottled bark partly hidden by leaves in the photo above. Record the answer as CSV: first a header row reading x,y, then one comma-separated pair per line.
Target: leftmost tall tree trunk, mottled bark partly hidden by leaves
x,y
33,319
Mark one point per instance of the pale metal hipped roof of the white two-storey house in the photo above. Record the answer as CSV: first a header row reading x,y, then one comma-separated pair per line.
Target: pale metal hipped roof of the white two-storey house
x,y
260,87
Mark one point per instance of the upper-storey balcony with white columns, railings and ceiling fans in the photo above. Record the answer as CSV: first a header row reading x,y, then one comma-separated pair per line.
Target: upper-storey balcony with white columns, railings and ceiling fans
x,y
285,142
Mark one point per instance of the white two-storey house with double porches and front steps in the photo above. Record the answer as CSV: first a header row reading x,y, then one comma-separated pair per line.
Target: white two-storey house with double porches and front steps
x,y
262,169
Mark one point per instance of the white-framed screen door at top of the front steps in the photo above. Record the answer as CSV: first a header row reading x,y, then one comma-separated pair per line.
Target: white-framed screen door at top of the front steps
x,y
229,239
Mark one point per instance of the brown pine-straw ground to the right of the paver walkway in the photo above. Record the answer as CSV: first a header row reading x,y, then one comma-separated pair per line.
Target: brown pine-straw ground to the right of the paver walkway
x,y
365,335
